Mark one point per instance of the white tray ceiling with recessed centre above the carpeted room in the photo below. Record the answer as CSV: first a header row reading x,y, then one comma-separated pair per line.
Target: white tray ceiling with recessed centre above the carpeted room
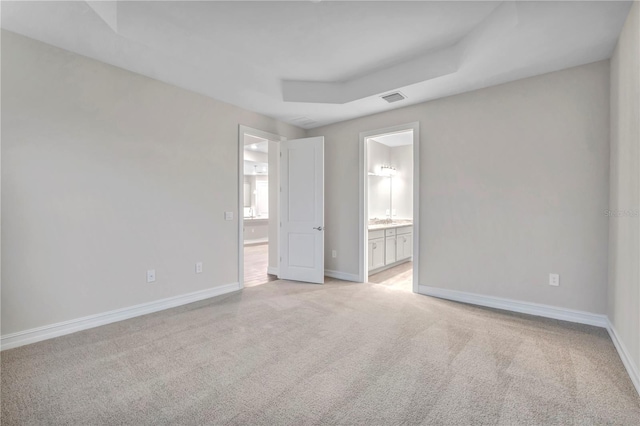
x,y
316,63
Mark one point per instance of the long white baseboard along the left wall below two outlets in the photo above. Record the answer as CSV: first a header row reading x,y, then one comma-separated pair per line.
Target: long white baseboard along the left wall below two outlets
x,y
33,335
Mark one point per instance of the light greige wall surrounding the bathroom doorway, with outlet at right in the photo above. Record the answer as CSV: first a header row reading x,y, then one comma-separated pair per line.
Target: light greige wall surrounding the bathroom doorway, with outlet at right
x,y
514,183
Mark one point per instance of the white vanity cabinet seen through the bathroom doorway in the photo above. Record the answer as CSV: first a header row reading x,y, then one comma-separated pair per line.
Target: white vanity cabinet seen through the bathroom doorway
x,y
389,246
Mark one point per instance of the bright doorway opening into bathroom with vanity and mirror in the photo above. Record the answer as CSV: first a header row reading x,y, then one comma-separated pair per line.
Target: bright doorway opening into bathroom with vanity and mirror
x,y
389,206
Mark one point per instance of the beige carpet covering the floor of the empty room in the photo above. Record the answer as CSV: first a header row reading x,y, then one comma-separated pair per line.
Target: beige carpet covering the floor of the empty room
x,y
342,353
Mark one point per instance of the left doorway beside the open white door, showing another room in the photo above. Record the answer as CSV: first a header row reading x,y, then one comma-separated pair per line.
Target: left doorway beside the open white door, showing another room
x,y
258,182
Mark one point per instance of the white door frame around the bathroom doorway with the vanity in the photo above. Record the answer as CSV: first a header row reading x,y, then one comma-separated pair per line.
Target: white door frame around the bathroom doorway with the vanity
x,y
363,270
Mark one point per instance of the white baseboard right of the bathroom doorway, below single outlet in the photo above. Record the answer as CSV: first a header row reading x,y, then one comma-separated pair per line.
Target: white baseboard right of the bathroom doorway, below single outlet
x,y
536,309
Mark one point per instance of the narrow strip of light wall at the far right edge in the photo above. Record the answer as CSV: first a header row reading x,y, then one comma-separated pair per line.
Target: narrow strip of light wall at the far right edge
x,y
624,227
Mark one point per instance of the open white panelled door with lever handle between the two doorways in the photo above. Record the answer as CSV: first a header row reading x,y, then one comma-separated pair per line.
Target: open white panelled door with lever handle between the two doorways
x,y
302,210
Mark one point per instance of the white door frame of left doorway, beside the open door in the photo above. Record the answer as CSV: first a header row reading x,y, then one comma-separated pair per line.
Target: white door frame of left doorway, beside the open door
x,y
242,130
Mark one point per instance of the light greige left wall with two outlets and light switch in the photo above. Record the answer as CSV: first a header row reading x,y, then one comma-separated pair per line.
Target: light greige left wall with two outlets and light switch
x,y
106,174
